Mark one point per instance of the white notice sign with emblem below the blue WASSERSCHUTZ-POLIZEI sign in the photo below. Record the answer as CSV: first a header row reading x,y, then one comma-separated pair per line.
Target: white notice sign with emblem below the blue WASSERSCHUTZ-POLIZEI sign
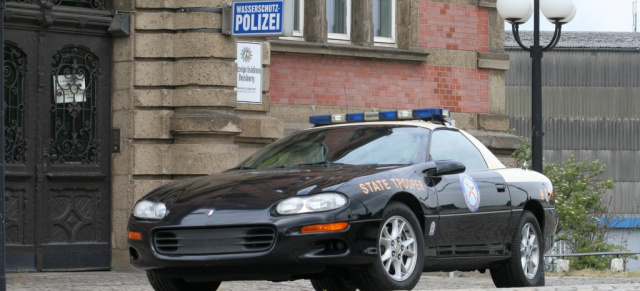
x,y
249,61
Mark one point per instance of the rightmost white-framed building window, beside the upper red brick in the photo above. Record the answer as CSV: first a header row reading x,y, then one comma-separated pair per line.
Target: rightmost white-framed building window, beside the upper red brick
x,y
384,21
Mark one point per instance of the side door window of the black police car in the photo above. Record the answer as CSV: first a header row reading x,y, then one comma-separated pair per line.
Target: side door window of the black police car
x,y
452,145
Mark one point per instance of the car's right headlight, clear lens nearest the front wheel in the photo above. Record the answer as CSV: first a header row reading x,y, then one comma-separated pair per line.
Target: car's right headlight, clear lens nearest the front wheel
x,y
313,203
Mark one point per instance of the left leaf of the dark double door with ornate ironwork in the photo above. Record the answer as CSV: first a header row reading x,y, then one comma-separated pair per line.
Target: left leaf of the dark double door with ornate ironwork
x,y
20,149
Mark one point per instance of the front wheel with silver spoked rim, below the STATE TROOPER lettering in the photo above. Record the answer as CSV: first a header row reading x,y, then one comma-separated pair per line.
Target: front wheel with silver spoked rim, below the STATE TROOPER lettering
x,y
400,253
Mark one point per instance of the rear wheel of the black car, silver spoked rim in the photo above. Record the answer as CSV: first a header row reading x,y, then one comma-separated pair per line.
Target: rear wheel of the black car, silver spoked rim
x,y
526,266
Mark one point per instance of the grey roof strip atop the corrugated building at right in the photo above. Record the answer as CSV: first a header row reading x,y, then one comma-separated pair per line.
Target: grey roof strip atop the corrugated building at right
x,y
574,39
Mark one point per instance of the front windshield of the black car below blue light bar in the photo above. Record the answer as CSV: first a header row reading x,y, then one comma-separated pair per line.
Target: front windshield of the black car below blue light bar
x,y
351,145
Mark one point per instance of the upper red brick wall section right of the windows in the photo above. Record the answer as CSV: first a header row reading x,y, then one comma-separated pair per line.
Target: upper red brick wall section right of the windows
x,y
456,27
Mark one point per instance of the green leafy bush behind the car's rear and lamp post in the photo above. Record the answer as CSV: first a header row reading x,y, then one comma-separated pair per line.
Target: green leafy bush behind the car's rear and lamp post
x,y
578,189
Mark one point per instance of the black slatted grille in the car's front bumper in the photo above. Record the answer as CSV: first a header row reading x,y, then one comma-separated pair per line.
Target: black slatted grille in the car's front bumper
x,y
213,241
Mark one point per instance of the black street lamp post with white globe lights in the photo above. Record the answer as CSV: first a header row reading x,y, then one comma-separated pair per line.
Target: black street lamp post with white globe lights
x,y
517,12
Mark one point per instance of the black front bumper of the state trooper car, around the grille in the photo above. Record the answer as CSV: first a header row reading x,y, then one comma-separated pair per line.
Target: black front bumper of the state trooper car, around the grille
x,y
290,255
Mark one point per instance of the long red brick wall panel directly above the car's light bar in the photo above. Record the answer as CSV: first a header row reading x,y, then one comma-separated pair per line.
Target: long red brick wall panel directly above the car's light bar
x,y
302,80
